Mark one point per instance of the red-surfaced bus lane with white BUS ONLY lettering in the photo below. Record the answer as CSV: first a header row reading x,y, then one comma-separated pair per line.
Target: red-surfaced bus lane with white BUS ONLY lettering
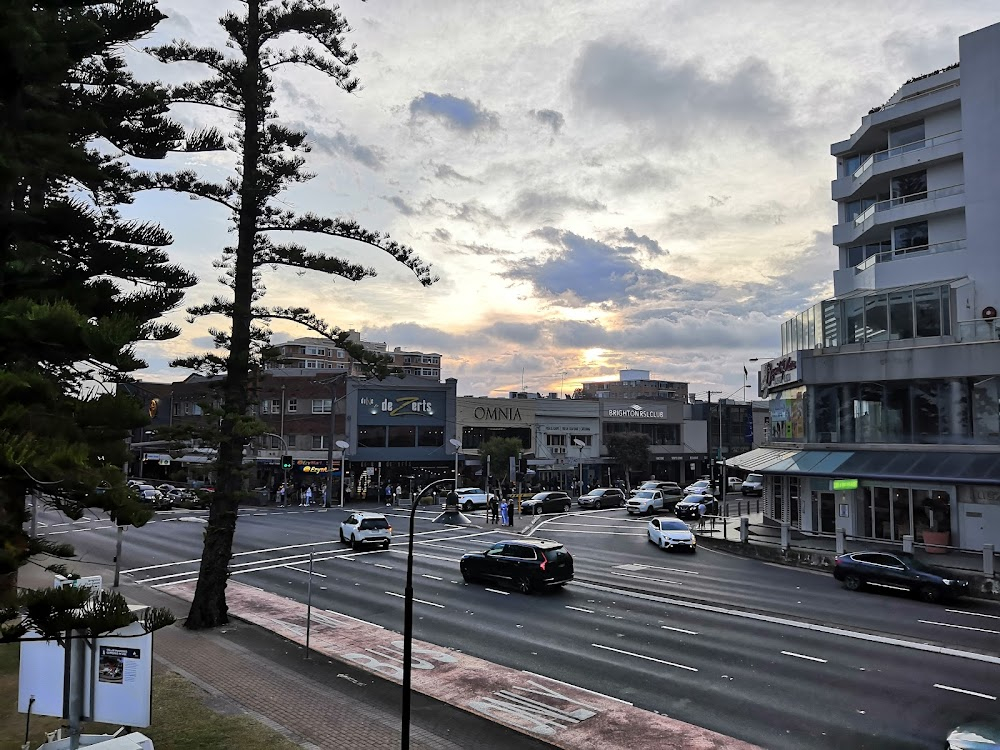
x,y
560,714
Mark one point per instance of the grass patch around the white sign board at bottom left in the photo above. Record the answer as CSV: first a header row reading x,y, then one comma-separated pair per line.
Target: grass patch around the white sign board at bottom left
x,y
181,720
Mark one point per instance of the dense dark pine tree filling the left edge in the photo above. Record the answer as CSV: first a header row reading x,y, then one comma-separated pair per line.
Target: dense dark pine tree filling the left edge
x,y
80,286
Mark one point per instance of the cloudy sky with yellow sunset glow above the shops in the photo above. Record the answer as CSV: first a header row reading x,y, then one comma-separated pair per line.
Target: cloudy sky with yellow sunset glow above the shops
x,y
598,185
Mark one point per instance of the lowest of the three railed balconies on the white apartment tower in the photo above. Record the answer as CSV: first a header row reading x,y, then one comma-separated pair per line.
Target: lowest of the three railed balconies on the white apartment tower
x,y
910,265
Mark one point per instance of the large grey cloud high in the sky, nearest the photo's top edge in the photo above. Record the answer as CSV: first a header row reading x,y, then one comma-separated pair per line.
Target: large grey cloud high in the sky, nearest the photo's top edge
x,y
632,83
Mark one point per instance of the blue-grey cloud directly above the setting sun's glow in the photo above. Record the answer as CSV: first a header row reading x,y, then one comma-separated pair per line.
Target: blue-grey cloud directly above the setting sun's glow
x,y
582,271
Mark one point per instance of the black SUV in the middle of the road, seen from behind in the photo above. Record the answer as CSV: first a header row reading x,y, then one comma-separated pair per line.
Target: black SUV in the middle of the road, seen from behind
x,y
530,564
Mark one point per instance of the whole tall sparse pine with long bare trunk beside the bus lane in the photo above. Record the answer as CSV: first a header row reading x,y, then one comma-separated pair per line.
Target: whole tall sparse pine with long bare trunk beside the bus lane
x,y
270,159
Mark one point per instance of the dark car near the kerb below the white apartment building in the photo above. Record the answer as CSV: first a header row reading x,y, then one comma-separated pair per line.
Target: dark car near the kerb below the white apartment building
x,y
899,571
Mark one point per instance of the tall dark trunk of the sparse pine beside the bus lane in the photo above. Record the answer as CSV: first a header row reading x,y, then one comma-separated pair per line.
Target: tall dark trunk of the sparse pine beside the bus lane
x,y
208,608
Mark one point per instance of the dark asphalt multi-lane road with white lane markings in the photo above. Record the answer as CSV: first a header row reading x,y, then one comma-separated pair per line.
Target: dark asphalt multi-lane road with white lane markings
x,y
777,656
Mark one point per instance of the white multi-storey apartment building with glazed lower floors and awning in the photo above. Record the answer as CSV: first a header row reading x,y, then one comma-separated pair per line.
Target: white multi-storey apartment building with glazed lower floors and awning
x,y
893,385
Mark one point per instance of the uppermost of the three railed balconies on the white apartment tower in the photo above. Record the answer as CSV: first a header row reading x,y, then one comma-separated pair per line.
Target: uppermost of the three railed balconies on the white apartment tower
x,y
875,173
